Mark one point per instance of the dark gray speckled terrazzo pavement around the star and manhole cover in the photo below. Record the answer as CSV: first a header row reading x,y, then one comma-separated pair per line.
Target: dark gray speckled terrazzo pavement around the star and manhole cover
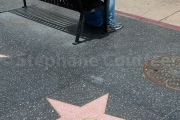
x,y
43,63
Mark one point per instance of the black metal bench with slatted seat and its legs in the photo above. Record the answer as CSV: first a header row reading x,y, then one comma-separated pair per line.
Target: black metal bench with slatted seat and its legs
x,y
77,6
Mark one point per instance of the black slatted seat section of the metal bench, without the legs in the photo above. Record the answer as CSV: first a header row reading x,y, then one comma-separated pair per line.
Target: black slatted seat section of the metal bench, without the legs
x,y
70,4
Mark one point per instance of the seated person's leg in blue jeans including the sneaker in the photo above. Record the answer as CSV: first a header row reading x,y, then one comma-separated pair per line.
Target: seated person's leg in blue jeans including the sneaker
x,y
111,16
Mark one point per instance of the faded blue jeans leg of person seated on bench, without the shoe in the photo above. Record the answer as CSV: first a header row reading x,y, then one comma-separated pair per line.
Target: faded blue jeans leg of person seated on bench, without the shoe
x,y
111,11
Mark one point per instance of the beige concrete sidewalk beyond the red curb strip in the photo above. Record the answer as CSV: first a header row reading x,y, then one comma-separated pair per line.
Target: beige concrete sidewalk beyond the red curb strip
x,y
166,11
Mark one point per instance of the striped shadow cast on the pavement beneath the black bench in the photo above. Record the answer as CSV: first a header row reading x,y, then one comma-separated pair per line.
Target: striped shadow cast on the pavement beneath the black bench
x,y
60,22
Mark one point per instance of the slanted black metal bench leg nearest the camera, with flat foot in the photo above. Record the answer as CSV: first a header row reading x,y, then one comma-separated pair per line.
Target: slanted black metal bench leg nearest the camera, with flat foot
x,y
79,29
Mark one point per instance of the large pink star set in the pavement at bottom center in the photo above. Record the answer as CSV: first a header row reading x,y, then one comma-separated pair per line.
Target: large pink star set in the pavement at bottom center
x,y
94,110
